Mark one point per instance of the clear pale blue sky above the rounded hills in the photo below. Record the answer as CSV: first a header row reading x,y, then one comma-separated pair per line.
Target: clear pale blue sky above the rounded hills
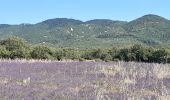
x,y
34,11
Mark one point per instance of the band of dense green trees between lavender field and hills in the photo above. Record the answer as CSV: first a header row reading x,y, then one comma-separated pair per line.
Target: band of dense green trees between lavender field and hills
x,y
17,48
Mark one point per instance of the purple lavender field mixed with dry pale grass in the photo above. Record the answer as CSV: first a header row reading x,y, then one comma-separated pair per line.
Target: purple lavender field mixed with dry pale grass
x,y
49,80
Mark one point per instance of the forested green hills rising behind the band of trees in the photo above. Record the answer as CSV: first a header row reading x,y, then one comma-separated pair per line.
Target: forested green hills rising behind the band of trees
x,y
148,30
